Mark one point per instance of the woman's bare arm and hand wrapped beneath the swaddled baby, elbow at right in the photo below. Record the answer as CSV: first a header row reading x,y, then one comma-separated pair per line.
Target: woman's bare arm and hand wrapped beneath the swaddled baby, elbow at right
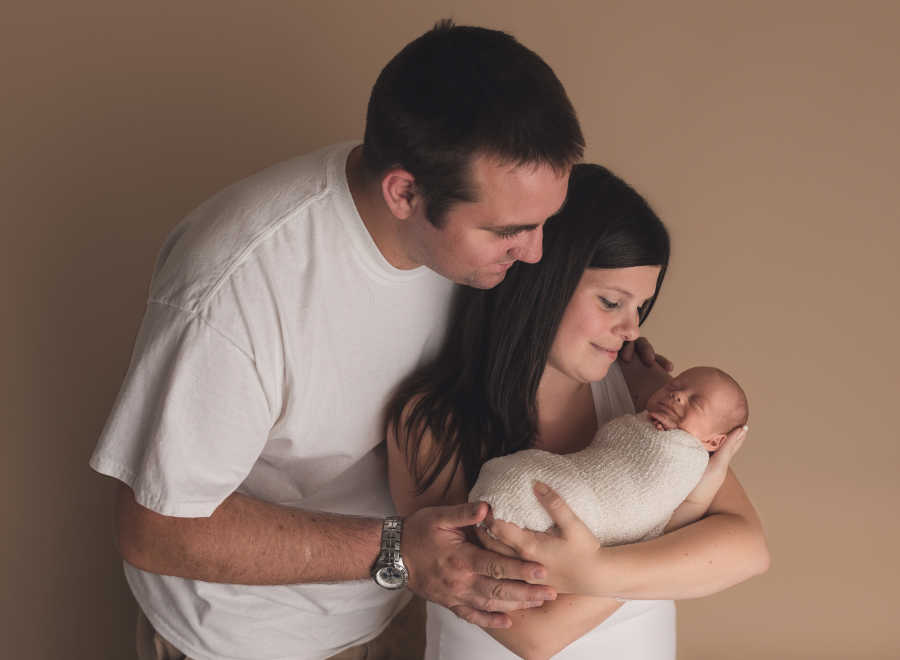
x,y
726,547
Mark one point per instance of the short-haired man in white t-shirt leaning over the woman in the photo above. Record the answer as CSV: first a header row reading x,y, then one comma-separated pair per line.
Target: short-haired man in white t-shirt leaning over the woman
x,y
282,312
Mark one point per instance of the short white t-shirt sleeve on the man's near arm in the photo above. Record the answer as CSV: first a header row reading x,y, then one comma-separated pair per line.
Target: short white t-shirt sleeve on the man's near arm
x,y
190,420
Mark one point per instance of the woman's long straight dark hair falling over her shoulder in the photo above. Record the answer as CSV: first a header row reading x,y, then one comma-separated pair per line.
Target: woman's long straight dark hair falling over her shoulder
x,y
477,398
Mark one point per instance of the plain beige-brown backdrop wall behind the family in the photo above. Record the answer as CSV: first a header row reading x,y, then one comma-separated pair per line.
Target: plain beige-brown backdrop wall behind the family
x,y
765,133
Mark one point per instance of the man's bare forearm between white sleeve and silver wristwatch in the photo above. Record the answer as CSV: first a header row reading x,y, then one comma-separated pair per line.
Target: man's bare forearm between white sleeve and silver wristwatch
x,y
248,541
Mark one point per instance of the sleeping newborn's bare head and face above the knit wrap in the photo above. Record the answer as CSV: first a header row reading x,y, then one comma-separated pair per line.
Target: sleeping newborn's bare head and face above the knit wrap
x,y
699,401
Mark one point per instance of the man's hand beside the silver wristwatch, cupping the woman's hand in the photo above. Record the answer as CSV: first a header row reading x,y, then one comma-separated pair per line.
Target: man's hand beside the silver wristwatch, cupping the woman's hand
x,y
478,585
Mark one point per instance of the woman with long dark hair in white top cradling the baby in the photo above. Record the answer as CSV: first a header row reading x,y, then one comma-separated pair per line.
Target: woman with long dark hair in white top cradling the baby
x,y
532,363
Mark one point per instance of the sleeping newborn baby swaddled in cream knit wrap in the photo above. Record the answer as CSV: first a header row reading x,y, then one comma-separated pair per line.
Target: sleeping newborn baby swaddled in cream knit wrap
x,y
625,485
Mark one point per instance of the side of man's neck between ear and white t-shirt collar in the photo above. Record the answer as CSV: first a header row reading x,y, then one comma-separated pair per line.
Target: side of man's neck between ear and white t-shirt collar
x,y
382,225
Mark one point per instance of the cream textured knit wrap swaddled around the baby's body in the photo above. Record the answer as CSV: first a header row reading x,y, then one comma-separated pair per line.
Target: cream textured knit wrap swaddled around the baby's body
x,y
624,485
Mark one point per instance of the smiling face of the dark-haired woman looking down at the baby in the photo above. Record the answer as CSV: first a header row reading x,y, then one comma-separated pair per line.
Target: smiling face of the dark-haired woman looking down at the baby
x,y
602,314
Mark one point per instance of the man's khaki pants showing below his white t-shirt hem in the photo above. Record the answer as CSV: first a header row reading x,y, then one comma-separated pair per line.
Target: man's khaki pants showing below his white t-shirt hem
x,y
403,639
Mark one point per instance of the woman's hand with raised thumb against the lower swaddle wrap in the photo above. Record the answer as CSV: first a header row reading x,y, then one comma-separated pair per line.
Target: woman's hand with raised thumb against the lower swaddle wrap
x,y
568,550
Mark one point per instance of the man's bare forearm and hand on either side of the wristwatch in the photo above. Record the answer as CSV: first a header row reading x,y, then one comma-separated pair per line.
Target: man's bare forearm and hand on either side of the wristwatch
x,y
248,541
